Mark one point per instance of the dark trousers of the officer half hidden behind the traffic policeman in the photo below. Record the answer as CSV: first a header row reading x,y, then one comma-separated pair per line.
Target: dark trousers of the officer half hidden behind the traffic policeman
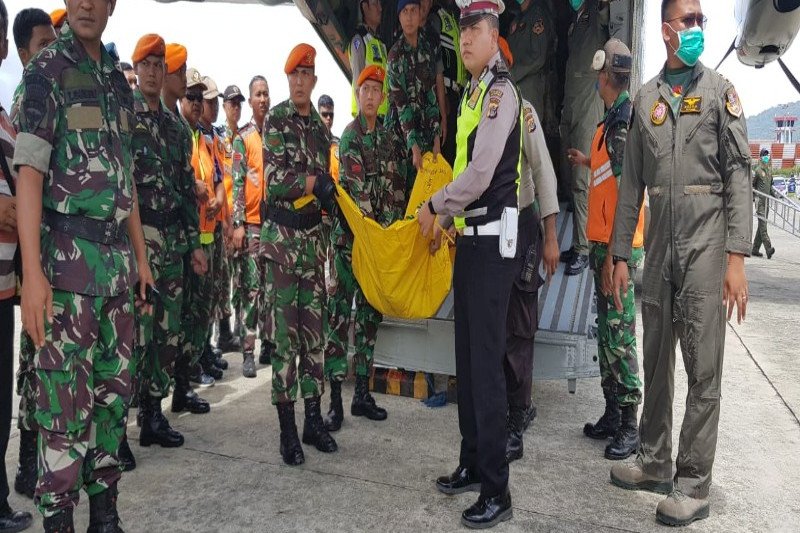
x,y
523,318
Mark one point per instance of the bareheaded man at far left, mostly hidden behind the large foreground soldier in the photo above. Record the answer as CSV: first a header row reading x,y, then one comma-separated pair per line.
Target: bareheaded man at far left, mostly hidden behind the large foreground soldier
x,y
33,31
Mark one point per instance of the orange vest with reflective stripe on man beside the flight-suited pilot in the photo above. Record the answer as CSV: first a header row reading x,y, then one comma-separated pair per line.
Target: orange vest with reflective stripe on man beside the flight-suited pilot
x,y
603,196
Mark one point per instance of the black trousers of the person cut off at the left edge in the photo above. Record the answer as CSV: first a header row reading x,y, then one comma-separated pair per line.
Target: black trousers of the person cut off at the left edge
x,y
6,387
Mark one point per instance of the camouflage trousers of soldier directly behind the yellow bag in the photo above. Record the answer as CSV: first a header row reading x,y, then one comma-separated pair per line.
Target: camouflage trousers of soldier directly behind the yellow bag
x,y
340,307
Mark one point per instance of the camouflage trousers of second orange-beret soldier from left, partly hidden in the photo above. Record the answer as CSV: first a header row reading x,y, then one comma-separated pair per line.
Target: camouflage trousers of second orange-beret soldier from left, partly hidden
x,y
198,307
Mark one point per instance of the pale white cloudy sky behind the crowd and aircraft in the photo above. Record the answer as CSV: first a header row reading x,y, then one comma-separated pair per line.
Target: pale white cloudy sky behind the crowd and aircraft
x,y
233,42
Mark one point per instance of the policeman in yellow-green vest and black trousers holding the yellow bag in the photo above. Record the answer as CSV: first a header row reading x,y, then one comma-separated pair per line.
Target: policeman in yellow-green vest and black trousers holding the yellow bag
x,y
482,202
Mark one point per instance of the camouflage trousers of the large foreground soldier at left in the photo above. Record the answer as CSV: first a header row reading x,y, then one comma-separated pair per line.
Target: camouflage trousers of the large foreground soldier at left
x,y
83,387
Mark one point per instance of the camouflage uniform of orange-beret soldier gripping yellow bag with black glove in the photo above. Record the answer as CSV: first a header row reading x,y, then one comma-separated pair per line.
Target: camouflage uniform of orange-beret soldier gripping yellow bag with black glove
x,y
295,147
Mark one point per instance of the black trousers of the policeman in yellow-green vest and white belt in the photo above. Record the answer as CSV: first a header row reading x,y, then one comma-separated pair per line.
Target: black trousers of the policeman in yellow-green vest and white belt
x,y
482,287
